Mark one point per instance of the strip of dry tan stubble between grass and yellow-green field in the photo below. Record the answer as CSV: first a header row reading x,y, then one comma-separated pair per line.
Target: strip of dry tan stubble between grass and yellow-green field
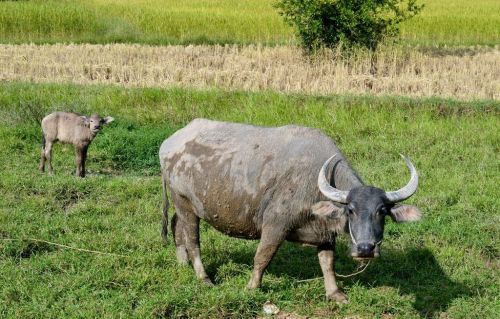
x,y
472,74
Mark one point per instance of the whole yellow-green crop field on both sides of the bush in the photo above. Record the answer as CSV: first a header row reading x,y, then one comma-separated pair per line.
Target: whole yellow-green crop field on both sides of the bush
x,y
455,23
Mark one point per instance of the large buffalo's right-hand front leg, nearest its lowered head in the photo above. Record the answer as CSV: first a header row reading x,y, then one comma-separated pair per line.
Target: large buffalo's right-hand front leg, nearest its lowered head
x,y
326,261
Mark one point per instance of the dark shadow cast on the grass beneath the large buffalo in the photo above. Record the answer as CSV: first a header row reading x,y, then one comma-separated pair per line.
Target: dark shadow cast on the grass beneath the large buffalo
x,y
413,272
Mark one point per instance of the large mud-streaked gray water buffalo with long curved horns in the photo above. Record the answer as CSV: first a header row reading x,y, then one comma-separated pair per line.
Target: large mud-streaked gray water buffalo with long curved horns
x,y
273,184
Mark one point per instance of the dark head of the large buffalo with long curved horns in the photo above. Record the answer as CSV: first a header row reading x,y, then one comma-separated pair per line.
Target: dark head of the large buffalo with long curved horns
x,y
366,208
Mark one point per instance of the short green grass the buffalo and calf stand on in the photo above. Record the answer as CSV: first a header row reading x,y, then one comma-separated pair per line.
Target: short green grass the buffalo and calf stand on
x,y
445,266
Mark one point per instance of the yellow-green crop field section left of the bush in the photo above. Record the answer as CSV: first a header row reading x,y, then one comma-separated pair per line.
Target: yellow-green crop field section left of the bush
x,y
152,22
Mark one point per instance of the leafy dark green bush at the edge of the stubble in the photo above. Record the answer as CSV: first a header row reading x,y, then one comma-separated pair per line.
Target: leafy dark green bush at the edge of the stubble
x,y
352,23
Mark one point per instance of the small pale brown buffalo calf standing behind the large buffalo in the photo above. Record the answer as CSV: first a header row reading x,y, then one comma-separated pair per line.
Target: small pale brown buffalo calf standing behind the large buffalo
x,y
73,128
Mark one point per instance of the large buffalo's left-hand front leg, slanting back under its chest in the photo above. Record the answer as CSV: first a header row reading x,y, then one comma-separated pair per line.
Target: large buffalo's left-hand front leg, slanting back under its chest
x,y
270,241
